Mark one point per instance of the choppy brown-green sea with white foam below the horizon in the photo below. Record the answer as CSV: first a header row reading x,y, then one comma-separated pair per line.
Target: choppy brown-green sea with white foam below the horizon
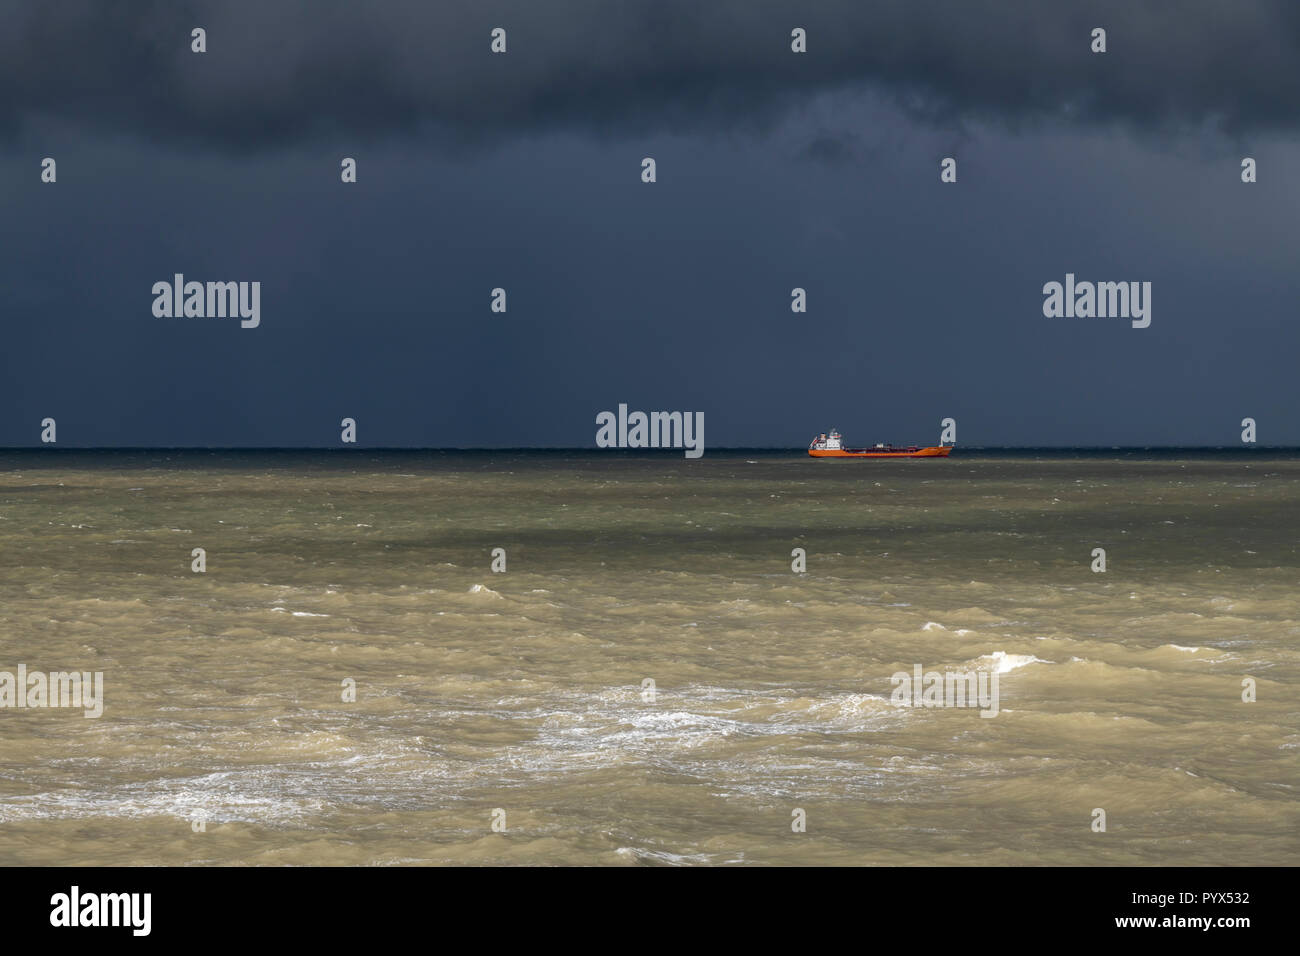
x,y
523,691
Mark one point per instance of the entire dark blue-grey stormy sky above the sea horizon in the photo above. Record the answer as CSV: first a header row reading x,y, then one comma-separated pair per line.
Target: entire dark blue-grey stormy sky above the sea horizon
x,y
523,171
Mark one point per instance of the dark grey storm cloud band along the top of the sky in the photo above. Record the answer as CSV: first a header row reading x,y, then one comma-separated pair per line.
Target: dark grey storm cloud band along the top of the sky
x,y
280,71
